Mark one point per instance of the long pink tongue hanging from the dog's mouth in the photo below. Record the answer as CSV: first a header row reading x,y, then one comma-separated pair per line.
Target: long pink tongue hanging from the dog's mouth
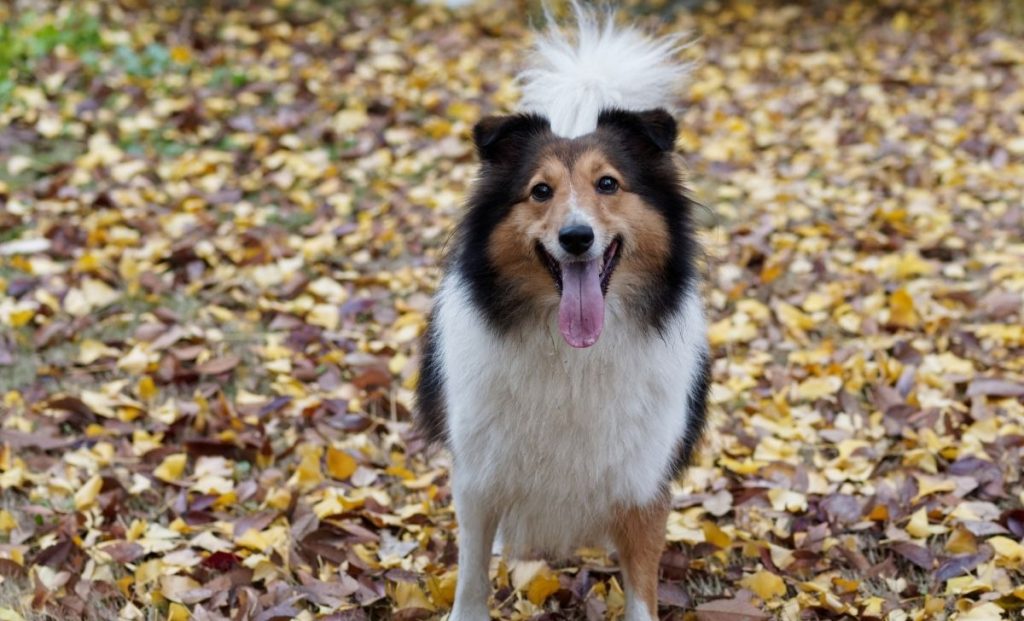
x,y
581,314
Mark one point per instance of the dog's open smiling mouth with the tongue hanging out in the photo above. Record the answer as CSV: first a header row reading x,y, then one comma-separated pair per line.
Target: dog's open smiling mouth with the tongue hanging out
x,y
582,286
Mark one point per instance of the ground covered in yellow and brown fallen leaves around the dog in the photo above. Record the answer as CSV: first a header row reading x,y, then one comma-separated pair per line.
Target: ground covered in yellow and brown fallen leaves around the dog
x,y
221,228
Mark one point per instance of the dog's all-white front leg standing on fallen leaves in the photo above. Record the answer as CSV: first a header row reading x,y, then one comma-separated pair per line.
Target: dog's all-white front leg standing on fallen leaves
x,y
478,523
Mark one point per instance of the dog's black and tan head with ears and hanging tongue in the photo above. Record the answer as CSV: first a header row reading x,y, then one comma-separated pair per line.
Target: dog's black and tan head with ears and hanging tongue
x,y
571,224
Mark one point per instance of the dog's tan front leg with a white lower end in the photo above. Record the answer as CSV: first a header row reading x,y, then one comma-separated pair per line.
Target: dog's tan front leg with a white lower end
x,y
639,536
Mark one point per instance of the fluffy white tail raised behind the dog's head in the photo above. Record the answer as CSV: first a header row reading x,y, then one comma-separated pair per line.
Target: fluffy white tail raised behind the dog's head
x,y
571,80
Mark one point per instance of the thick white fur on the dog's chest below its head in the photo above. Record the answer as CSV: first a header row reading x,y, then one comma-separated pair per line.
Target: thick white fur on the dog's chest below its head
x,y
552,438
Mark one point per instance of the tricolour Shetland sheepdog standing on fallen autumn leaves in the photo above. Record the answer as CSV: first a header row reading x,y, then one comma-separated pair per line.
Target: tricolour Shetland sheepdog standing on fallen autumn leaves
x,y
566,365
